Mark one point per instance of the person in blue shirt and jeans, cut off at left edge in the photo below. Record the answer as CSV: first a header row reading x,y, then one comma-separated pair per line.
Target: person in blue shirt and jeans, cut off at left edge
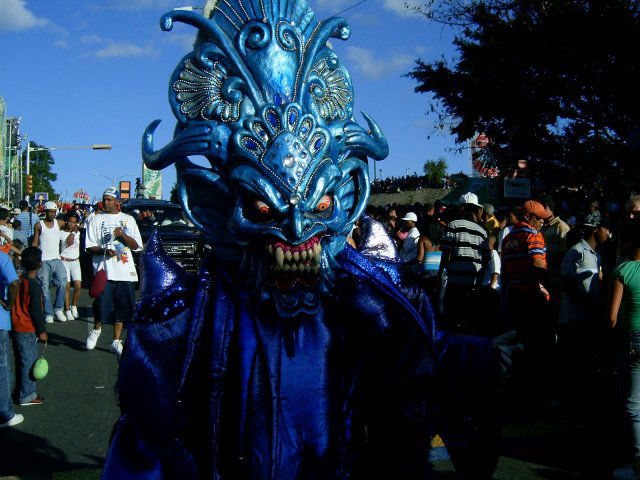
x,y
9,285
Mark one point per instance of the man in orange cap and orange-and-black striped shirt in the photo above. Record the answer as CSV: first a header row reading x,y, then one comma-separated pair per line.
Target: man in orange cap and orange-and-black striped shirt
x,y
524,275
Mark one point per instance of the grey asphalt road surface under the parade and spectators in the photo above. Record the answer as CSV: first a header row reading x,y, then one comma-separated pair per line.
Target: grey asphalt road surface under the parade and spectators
x,y
67,437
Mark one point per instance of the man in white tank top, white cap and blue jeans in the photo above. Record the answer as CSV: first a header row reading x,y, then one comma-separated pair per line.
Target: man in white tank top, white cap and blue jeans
x,y
46,235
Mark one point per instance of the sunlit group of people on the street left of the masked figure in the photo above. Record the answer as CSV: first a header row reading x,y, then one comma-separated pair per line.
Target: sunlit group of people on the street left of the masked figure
x,y
39,256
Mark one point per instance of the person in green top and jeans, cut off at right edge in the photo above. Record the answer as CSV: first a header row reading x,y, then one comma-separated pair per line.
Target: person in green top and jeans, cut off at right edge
x,y
624,310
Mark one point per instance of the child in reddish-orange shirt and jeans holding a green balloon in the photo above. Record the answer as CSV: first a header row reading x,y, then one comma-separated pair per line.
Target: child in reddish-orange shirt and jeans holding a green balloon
x,y
27,317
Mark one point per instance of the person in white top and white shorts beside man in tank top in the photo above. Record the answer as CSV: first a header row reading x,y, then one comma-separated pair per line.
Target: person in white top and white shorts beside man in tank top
x,y
70,256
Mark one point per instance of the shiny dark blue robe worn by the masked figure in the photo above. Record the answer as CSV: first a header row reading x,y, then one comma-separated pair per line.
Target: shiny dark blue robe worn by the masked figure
x,y
213,386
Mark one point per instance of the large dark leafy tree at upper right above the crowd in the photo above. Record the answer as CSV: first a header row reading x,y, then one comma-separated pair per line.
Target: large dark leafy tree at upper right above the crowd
x,y
553,82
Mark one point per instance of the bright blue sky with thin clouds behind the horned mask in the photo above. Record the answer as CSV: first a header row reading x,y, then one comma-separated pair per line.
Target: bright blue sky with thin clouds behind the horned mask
x,y
81,72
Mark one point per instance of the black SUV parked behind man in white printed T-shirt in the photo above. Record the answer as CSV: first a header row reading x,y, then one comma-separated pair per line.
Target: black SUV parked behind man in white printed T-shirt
x,y
181,240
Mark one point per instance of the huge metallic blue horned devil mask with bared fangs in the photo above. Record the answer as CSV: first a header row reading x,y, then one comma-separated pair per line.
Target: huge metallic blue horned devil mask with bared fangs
x,y
270,105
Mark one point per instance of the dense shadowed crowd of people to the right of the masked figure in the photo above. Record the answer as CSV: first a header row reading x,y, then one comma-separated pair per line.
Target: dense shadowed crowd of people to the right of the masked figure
x,y
568,292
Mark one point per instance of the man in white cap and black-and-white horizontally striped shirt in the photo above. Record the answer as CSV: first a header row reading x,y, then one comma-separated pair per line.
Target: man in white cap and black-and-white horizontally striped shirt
x,y
465,253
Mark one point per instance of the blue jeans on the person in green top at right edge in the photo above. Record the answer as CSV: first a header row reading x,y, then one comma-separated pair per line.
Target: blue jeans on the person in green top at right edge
x,y
632,384
